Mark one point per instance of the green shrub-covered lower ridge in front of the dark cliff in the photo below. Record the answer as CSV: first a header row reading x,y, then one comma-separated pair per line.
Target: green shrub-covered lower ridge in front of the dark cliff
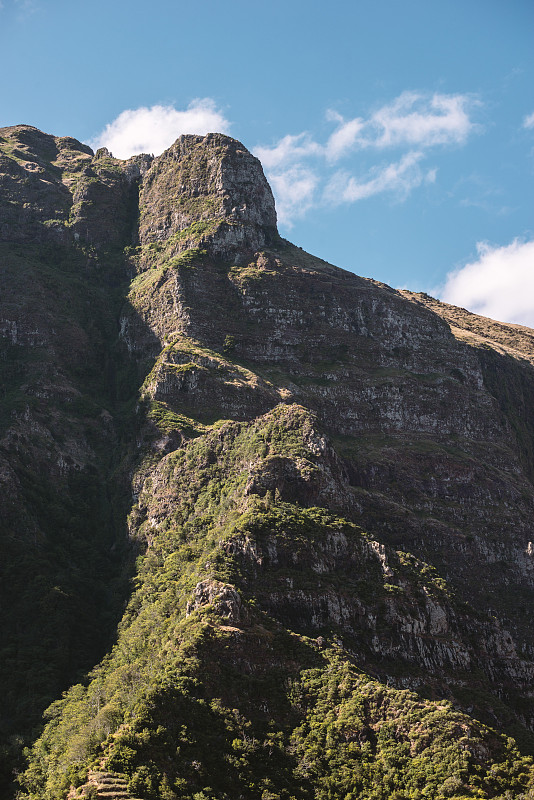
x,y
177,707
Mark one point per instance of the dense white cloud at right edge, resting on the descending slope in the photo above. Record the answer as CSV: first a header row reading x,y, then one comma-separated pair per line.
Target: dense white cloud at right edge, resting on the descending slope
x,y
499,285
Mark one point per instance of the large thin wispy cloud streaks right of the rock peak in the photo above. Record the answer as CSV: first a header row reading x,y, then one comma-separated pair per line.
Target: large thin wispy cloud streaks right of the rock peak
x,y
413,122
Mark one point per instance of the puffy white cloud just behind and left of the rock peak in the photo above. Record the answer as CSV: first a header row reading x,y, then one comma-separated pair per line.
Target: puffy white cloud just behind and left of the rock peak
x,y
152,130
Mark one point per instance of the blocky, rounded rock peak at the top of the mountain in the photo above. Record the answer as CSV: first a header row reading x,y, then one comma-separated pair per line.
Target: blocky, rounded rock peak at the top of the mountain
x,y
209,192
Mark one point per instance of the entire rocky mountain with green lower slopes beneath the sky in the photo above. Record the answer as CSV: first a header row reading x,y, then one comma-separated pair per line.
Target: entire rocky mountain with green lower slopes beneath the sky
x,y
267,526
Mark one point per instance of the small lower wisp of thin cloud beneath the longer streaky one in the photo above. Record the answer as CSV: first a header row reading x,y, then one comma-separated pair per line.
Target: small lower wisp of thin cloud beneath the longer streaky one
x,y
400,178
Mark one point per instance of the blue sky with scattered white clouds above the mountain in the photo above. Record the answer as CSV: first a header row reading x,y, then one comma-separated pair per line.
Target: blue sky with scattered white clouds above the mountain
x,y
398,136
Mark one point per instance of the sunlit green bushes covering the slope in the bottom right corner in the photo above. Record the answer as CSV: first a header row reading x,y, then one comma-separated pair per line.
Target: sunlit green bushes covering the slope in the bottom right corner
x,y
360,740
